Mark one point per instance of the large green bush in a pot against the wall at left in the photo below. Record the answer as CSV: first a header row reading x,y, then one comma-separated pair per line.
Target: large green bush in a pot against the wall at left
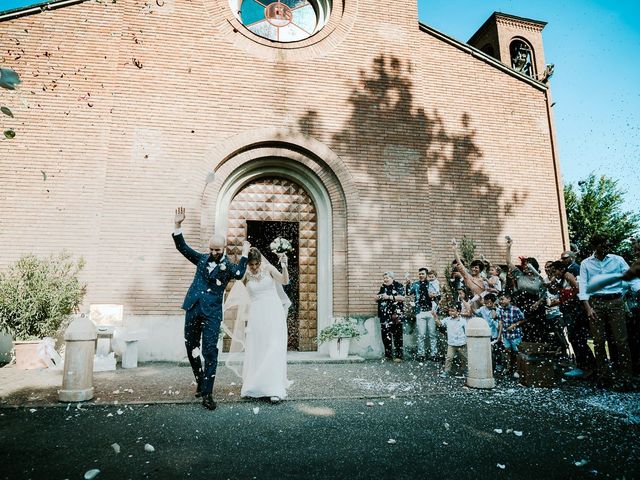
x,y
37,296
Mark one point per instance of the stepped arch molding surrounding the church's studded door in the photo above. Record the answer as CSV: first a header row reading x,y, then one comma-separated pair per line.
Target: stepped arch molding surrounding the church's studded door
x,y
308,162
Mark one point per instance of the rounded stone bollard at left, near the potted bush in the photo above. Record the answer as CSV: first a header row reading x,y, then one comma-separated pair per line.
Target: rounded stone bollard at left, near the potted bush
x,y
77,379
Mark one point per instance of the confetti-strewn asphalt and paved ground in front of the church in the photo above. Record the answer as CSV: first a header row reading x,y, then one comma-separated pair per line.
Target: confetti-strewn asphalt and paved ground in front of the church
x,y
342,420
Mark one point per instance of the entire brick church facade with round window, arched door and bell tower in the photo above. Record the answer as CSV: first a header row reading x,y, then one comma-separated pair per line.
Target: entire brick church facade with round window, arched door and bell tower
x,y
371,138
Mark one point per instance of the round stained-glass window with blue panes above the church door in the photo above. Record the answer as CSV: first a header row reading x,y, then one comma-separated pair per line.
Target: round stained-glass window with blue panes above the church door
x,y
282,20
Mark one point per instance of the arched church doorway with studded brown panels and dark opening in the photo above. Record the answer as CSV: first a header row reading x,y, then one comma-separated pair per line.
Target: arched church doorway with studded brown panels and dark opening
x,y
265,208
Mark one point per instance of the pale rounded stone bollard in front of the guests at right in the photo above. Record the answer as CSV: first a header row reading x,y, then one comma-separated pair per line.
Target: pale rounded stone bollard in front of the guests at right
x,y
480,368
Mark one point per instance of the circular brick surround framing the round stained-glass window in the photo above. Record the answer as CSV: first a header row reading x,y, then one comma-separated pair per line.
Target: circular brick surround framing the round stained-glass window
x,y
341,20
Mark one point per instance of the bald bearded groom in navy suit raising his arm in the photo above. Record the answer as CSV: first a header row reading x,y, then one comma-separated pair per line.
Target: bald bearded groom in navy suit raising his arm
x,y
203,304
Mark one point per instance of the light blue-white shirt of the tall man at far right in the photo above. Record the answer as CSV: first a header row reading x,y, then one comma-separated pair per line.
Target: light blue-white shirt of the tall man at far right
x,y
611,264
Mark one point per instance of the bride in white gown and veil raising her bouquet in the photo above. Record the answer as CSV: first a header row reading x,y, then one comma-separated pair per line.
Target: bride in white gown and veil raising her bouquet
x,y
264,339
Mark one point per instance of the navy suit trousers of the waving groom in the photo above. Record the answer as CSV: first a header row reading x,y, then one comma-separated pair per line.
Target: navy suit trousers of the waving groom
x,y
206,325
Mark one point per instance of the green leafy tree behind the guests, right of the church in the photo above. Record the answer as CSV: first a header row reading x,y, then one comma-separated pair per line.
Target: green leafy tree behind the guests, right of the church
x,y
595,206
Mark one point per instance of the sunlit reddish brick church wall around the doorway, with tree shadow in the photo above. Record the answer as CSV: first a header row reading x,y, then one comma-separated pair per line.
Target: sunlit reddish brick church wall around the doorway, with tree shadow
x,y
437,143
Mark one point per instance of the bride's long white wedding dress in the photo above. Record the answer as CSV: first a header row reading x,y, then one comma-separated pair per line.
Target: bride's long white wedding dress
x,y
264,370
